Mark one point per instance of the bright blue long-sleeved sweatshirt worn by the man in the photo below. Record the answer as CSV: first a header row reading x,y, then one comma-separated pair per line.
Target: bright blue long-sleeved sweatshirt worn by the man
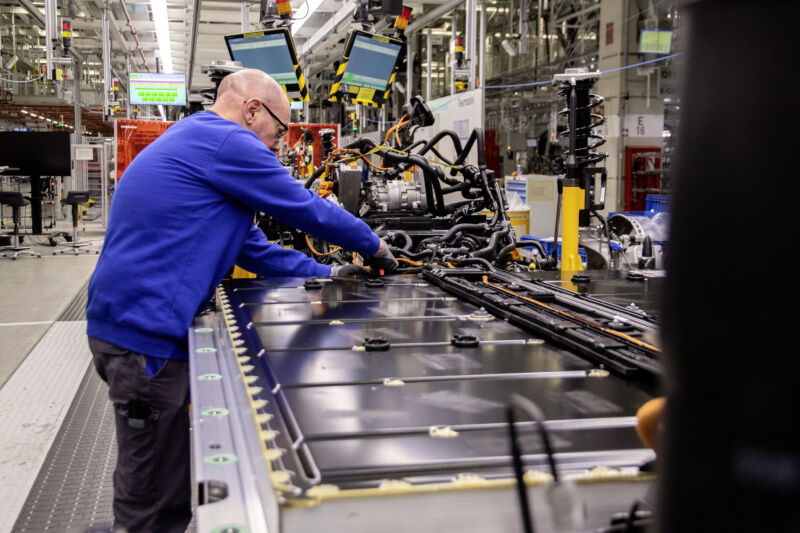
x,y
182,214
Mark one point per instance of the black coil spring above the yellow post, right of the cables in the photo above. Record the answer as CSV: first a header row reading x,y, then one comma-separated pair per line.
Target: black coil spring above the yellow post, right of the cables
x,y
584,150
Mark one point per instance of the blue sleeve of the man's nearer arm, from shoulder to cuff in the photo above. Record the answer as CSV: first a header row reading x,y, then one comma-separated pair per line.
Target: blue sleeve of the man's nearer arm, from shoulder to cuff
x,y
246,170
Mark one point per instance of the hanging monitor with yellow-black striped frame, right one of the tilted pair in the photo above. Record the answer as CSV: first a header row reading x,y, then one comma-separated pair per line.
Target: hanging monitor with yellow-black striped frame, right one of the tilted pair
x,y
368,67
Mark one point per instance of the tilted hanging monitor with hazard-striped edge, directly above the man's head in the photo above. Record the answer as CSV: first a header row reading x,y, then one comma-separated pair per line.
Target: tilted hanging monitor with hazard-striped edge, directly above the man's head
x,y
271,51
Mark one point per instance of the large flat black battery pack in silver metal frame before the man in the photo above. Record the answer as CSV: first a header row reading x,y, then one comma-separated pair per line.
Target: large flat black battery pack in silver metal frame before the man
x,y
343,404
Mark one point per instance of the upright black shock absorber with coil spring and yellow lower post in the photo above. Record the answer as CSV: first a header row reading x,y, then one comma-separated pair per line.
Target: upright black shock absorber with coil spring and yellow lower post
x,y
581,194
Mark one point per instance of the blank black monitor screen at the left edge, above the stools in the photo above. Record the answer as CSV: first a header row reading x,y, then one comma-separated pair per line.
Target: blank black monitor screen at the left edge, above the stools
x,y
35,153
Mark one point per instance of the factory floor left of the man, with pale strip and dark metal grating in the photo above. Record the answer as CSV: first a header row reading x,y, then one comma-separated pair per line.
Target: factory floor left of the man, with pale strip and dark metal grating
x,y
44,364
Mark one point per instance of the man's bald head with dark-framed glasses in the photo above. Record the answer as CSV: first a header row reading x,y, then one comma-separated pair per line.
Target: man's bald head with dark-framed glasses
x,y
240,97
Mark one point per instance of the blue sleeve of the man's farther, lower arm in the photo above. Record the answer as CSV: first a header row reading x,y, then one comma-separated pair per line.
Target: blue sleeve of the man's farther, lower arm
x,y
260,256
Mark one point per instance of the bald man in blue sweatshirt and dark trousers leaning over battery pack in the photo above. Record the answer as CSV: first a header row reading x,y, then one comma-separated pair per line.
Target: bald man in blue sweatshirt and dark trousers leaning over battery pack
x,y
182,215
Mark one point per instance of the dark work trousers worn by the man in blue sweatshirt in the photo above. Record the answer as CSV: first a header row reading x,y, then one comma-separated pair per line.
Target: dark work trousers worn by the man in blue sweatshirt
x,y
152,491
